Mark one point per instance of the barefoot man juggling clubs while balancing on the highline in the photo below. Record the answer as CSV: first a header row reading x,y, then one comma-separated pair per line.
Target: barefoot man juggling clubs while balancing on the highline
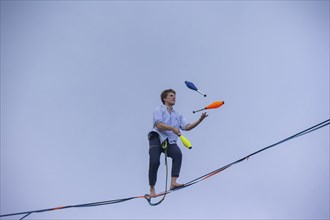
x,y
166,126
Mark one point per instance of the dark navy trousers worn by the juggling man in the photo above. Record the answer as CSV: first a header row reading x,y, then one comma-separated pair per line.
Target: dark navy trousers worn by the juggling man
x,y
155,150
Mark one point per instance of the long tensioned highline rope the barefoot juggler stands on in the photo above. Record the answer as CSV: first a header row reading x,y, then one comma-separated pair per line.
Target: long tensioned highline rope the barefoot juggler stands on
x,y
148,198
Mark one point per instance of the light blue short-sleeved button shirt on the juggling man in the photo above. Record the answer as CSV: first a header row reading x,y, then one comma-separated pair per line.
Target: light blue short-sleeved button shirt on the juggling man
x,y
173,118
